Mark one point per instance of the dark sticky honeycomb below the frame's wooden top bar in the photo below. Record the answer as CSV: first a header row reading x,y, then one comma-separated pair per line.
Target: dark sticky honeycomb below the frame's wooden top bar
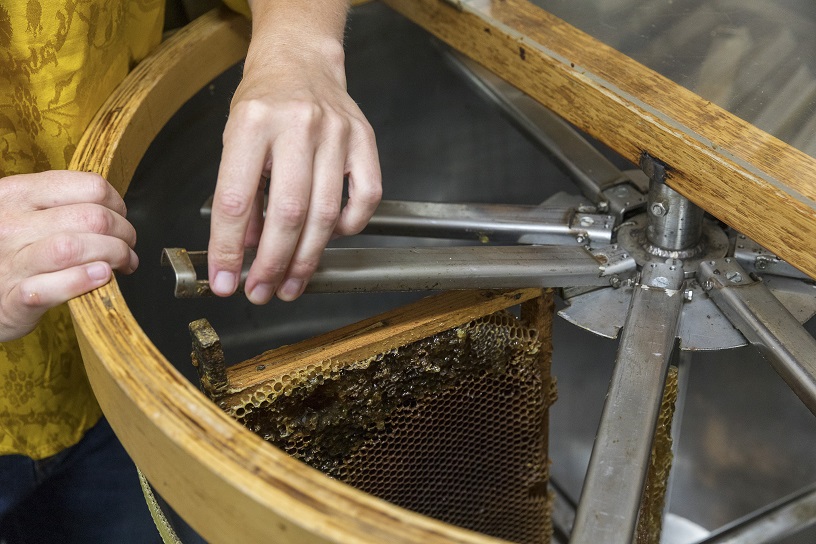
x,y
452,426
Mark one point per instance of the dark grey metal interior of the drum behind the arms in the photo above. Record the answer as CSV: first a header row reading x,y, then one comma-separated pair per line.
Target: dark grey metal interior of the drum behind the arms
x,y
745,439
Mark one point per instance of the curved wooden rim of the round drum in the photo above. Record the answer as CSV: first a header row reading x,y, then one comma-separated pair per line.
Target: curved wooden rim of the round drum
x,y
229,484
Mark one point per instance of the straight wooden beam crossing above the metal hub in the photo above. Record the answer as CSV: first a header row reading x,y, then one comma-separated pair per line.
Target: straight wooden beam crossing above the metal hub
x,y
740,174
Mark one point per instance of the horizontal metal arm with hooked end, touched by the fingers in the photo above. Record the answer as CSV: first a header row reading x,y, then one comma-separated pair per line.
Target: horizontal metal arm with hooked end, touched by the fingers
x,y
344,270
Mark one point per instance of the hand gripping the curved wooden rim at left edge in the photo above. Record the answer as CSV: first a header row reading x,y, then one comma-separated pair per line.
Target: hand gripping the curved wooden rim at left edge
x,y
61,234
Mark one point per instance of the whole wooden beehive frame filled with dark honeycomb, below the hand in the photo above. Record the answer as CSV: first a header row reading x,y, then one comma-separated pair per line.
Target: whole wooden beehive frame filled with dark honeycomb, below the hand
x,y
440,406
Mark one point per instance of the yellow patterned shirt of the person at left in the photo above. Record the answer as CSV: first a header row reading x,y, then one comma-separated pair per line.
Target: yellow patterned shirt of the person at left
x,y
60,59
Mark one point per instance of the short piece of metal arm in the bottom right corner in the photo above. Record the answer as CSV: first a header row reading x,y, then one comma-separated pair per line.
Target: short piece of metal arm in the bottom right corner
x,y
771,523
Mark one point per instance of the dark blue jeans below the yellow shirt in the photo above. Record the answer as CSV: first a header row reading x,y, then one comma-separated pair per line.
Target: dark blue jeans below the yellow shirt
x,y
88,493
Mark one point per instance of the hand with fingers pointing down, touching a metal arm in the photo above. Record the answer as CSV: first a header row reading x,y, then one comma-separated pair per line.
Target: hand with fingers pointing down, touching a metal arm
x,y
291,122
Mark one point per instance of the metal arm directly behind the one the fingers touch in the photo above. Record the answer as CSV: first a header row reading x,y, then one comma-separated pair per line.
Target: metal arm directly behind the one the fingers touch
x,y
489,222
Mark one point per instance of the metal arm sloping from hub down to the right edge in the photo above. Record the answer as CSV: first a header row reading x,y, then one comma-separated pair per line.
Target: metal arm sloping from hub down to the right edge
x,y
765,323
